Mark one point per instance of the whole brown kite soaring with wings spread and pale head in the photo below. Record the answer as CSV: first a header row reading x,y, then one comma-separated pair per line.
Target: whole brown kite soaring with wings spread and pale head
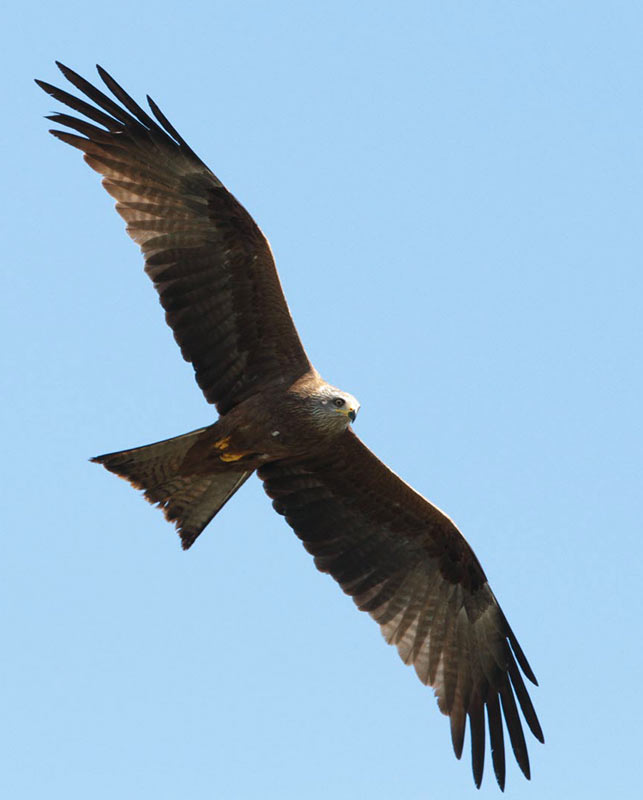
x,y
400,558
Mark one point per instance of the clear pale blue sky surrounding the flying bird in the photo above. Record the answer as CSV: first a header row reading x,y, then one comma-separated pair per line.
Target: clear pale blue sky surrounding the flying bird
x,y
453,195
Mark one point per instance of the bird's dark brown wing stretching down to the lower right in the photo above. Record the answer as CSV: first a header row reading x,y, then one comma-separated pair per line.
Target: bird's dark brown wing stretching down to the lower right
x,y
405,562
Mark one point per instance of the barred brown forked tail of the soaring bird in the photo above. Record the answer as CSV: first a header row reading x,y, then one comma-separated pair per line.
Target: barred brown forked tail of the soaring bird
x,y
189,500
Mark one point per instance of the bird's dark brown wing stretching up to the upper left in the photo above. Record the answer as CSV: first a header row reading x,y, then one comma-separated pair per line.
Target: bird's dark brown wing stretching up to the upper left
x,y
210,263
